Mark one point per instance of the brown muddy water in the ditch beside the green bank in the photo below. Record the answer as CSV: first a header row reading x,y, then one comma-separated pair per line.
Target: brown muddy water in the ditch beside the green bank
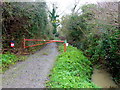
x,y
102,78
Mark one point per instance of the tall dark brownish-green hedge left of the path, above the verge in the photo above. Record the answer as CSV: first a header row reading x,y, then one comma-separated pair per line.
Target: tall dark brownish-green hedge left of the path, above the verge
x,y
24,20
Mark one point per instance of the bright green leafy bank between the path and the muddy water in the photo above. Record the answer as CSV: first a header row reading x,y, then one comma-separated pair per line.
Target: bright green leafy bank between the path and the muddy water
x,y
71,70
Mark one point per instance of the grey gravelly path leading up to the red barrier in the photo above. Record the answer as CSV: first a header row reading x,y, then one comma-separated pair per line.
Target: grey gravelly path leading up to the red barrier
x,y
33,72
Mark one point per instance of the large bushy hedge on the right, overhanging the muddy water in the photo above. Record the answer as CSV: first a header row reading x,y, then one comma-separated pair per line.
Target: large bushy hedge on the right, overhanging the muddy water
x,y
96,32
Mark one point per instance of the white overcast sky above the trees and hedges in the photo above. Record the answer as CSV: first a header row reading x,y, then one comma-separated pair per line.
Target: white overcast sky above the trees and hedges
x,y
65,6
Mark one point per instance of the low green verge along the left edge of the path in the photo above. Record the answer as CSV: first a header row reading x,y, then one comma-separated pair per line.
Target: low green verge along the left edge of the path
x,y
8,59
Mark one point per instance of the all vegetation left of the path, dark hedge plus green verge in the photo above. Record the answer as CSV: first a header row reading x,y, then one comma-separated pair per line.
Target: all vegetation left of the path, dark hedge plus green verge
x,y
22,20
